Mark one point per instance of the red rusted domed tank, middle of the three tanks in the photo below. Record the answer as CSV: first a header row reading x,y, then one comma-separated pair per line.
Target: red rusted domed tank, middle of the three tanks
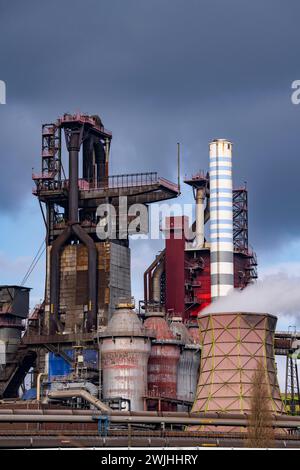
x,y
163,362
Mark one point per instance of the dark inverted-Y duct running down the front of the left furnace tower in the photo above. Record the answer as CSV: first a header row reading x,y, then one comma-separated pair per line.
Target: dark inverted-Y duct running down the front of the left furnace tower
x,y
73,140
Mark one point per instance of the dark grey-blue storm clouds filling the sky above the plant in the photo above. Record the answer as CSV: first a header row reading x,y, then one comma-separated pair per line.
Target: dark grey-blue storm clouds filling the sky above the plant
x,y
159,71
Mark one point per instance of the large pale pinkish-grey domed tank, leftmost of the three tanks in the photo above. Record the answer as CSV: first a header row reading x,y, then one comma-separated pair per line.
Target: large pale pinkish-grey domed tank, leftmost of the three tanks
x,y
125,349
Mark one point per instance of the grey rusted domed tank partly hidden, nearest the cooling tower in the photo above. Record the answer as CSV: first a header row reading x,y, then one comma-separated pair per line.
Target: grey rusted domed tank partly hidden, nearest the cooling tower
x,y
189,363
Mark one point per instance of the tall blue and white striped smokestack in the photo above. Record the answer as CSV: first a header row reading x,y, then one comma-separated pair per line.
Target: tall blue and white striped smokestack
x,y
221,218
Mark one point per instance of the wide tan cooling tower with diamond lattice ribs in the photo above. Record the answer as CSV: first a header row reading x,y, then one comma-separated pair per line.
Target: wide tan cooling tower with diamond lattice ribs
x,y
233,345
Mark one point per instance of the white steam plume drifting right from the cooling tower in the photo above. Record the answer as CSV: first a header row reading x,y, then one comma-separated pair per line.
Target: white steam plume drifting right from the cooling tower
x,y
276,294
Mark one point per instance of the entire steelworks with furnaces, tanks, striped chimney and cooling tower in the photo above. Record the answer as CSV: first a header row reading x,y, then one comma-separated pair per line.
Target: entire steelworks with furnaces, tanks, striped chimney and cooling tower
x,y
91,367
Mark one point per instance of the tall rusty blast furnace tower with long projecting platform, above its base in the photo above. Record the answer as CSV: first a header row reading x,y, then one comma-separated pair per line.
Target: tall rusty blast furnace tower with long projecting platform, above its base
x,y
77,260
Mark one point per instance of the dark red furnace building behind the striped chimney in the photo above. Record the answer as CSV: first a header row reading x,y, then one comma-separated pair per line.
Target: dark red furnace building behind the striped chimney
x,y
180,277
